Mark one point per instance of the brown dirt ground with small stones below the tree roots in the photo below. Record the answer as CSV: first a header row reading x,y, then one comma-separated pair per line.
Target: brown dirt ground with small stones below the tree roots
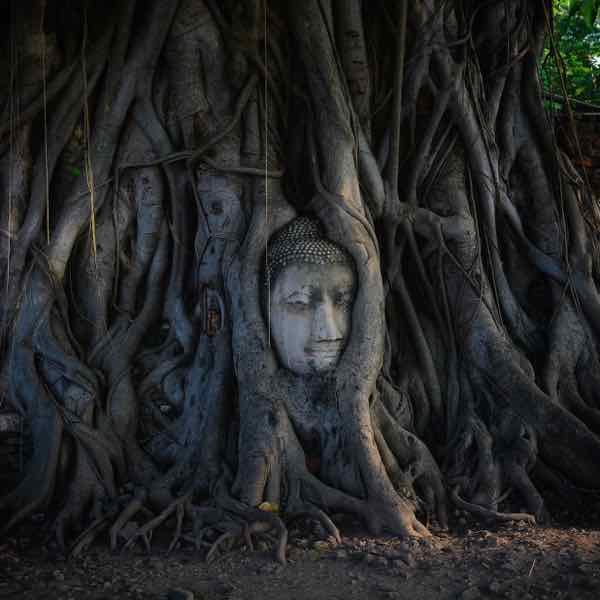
x,y
469,561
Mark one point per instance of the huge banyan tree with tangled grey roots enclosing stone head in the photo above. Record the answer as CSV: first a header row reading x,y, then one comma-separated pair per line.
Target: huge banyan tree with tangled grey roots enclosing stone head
x,y
267,259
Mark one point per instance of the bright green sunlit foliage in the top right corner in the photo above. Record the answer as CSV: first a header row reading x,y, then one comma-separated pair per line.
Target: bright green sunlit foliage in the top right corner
x,y
577,38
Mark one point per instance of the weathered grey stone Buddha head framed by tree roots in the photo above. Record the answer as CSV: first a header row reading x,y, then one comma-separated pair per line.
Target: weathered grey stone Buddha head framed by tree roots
x,y
312,286
